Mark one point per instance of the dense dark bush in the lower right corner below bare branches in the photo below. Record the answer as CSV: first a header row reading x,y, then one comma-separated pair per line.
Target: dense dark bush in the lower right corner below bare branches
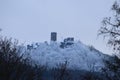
x,y
112,69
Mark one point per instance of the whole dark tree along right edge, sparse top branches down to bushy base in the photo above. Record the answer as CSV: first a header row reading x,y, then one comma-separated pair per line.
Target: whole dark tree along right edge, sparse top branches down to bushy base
x,y
111,30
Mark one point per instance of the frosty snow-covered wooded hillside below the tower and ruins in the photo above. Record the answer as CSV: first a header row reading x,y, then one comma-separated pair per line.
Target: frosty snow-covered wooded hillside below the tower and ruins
x,y
79,56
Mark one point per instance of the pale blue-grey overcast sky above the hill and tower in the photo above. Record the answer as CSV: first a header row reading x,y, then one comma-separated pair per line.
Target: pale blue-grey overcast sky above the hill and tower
x,y
34,20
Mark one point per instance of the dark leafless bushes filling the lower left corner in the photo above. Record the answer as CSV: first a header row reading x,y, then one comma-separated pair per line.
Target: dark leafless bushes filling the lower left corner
x,y
12,64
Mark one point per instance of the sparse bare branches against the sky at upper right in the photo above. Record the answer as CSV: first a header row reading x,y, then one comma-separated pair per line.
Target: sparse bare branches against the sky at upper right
x,y
111,27
